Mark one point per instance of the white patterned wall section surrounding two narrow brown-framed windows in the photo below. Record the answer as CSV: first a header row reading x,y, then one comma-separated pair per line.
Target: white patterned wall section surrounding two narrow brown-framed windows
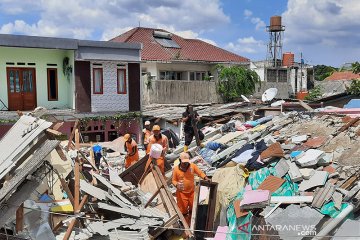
x,y
109,100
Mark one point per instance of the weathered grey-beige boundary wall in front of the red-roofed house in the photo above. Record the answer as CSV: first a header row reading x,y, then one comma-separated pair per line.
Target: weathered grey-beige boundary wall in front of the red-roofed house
x,y
179,92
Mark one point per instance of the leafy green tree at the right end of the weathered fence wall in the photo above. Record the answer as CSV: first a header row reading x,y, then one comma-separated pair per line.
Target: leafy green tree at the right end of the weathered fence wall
x,y
235,81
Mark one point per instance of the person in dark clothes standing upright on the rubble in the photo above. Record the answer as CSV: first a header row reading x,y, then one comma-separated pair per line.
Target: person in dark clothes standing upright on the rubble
x,y
187,119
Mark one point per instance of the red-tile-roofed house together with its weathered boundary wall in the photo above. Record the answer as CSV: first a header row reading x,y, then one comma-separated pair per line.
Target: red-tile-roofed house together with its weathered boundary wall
x,y
176,69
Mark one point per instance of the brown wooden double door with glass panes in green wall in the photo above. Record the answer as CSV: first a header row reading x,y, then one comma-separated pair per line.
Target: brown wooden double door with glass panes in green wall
x,y
21,88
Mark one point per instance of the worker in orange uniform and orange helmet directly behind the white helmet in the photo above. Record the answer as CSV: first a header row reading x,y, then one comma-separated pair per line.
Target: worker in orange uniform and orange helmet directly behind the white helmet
x,y
161,139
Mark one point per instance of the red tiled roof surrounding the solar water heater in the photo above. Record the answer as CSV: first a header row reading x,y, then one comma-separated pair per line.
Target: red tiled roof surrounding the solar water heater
x,y
190,49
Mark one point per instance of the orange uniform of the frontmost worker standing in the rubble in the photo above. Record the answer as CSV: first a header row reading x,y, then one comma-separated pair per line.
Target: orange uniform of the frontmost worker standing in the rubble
x,y
185,197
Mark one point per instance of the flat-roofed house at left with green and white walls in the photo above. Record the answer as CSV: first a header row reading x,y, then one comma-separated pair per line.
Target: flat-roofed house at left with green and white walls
x,y
61,73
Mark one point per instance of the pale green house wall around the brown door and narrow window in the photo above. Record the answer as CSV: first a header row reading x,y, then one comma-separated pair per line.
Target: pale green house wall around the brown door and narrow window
x,y
41,57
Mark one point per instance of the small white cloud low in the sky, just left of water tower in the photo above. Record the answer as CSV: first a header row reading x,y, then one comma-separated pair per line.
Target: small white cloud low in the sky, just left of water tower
x,y
247,45
